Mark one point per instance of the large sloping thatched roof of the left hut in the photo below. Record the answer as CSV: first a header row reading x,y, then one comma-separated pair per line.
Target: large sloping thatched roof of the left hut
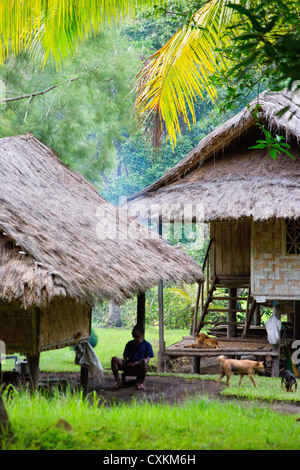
x,y
59,237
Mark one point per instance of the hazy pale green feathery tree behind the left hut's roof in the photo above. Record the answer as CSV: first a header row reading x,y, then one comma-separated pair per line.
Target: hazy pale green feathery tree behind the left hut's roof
x,y
86,111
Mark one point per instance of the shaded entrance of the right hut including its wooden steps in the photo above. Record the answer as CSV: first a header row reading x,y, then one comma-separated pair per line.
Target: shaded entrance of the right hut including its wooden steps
x,y
227,267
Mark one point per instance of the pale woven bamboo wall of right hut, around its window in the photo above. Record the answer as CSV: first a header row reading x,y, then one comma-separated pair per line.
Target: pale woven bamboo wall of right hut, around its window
x,y
274,274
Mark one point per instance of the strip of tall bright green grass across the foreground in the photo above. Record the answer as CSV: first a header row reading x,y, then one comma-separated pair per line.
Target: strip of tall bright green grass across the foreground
x,y
195,425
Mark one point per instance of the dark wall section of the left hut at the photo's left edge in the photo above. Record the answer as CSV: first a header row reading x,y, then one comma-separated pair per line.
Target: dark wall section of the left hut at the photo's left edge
x,y
18,328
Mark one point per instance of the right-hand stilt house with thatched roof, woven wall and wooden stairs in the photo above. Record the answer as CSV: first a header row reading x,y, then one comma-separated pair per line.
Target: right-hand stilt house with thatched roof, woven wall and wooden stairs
x,y
252,205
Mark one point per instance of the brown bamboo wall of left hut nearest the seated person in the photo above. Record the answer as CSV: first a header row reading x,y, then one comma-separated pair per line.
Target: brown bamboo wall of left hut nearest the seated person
x,y
61,321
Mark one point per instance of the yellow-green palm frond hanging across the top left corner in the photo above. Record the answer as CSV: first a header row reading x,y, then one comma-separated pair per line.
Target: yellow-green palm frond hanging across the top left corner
x,y
57,26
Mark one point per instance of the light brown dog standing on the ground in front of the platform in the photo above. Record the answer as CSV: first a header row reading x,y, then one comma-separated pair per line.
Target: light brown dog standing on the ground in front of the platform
x,y
241,366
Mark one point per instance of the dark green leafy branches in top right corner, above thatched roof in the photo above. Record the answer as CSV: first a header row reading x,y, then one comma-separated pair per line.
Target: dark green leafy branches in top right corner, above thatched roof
x,y
265,53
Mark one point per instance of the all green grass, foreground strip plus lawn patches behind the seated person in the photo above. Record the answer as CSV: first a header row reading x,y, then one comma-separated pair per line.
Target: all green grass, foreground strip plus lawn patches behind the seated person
x,y
195,424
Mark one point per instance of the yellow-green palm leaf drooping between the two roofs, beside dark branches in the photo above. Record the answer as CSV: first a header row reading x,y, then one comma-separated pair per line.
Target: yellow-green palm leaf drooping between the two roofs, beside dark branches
x,y
173,78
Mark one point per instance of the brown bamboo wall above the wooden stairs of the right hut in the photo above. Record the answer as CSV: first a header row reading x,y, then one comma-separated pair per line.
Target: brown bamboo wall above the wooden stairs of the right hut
x,y
231,249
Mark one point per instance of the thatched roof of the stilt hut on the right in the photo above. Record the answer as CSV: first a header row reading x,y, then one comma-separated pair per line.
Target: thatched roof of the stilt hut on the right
x,y
221,178
